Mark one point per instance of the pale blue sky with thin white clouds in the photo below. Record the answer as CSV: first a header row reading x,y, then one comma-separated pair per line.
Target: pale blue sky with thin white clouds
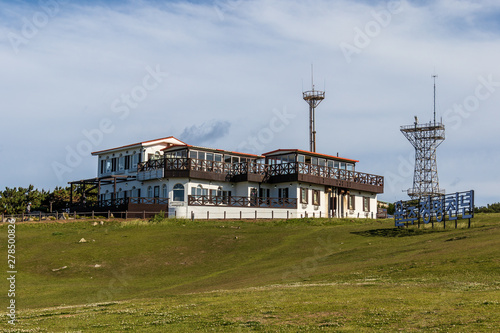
x,y
84,76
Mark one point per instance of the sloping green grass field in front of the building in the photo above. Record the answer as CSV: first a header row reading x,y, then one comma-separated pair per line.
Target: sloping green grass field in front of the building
x,y
274,276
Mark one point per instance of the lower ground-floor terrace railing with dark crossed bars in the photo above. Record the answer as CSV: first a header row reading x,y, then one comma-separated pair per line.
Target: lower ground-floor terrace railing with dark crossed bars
x,y
230,201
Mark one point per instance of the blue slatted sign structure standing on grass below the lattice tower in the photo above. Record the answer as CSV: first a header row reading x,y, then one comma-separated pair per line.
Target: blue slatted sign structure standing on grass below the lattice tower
x,y
449,207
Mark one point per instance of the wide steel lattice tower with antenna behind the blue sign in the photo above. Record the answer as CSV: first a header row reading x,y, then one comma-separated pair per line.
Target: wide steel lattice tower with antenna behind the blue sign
x,y
425,138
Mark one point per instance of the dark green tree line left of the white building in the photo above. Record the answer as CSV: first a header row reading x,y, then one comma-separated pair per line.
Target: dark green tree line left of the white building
x,y
17,200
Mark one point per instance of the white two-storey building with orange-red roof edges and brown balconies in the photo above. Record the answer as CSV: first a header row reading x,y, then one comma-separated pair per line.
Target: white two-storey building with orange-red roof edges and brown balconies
x,y
202,182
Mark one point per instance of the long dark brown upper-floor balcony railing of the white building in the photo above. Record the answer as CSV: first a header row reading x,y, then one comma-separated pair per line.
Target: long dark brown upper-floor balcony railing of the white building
x,y
242,168
